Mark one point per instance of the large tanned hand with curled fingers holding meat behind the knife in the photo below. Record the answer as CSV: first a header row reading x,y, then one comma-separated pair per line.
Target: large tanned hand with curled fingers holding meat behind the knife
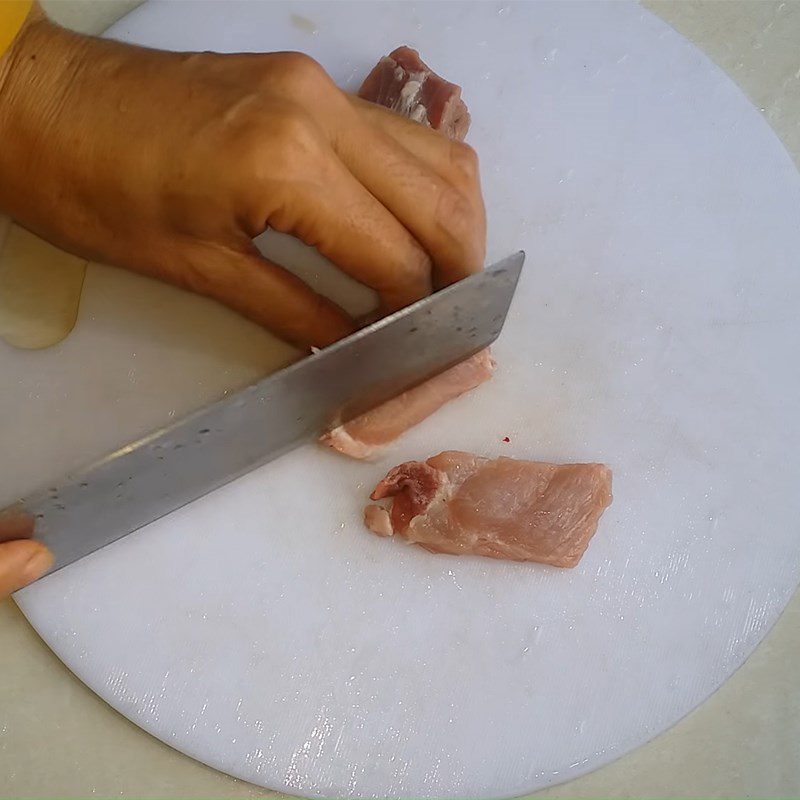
x,y
169,164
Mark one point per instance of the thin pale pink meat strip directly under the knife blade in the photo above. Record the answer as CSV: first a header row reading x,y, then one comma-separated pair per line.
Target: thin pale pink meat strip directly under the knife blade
x,y
365,435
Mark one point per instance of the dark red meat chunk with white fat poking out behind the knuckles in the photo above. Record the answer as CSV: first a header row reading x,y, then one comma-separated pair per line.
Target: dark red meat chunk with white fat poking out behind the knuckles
x,y
403,83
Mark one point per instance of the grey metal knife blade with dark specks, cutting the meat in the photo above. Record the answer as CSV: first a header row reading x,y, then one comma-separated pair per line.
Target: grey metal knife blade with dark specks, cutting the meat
x,y
159,473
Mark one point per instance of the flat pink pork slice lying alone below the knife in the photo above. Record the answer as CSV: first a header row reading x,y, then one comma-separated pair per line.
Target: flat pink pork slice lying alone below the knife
x,y
463,504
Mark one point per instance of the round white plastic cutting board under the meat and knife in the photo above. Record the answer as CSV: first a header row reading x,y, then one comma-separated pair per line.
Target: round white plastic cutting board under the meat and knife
x,y
262,631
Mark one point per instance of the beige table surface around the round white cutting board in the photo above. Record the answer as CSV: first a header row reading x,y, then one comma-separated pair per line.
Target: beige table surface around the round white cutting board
x,y
59,739
